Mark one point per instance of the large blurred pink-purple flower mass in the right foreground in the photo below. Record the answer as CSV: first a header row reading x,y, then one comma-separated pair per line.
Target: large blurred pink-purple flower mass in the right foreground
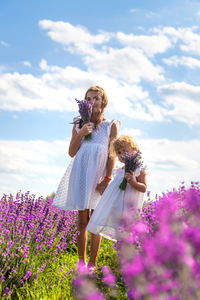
x,y
162,261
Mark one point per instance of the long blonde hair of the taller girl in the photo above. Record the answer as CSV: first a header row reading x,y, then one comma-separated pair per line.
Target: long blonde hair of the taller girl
x,y
99,89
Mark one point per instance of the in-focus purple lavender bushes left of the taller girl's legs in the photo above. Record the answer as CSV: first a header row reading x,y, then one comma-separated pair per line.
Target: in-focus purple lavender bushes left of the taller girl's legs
x,y
29,229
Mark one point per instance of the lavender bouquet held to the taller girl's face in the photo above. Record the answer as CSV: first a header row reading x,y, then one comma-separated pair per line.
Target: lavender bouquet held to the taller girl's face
x,y
85,110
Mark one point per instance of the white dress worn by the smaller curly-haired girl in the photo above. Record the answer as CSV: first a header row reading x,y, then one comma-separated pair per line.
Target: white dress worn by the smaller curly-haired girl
x,y
105,220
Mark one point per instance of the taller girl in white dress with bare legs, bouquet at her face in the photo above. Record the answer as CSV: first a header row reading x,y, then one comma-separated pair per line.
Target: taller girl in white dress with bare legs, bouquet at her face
x,y
88,174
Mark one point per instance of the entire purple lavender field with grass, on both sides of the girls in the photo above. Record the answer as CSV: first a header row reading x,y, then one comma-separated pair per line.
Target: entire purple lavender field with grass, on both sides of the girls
x,y
156,257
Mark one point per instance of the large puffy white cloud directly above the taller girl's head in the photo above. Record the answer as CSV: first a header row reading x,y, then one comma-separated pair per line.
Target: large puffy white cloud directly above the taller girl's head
x,y
126,64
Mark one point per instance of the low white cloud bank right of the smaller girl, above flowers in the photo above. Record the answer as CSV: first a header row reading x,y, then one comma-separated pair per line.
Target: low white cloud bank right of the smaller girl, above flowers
x,y
170,162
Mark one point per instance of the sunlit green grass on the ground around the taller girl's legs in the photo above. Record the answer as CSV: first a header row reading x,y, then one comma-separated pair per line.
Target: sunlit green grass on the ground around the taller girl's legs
x,y
55,281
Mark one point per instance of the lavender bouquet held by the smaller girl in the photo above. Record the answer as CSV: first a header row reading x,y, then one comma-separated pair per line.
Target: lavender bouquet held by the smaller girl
x,y
132,162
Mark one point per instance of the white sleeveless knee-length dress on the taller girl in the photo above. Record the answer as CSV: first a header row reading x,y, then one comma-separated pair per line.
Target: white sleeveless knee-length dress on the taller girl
x,y
77,189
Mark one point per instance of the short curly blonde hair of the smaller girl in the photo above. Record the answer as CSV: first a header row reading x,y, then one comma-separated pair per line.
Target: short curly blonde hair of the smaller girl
x,y
119,142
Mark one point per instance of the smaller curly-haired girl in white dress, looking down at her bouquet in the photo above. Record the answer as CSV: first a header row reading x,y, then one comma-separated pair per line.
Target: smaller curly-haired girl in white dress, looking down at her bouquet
x,y
106,218
